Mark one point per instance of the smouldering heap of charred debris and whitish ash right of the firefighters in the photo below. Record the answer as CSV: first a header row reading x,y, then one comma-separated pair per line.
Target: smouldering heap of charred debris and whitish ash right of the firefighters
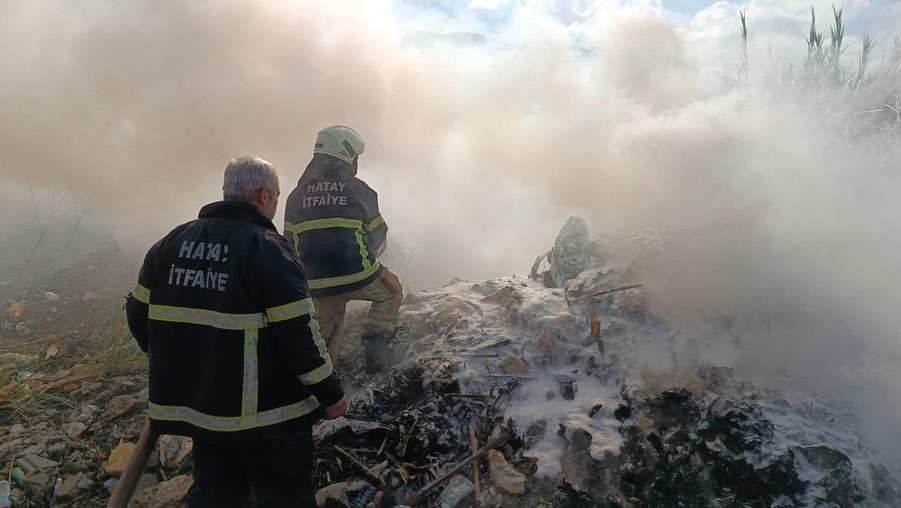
x,y
547,369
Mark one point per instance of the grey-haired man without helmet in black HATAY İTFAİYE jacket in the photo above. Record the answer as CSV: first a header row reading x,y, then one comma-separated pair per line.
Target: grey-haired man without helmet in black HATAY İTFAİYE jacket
x,y
236,358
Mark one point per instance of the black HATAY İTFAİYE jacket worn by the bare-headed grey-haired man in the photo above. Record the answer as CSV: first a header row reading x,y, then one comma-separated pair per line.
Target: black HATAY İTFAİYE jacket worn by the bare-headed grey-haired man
x,y
221,307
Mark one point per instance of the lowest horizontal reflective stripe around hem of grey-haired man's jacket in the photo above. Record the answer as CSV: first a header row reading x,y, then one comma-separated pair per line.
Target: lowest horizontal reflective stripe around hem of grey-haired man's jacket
x,y
232,423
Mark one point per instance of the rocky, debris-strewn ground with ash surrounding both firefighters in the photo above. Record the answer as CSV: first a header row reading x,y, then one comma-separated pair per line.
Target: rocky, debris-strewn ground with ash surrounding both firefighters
x,y
537,377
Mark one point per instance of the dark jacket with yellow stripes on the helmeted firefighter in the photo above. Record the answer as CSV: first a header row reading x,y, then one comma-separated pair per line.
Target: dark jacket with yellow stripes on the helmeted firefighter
x,y
333,220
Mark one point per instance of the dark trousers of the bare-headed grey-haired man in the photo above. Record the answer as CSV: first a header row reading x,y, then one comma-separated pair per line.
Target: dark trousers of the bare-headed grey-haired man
x,y
279,470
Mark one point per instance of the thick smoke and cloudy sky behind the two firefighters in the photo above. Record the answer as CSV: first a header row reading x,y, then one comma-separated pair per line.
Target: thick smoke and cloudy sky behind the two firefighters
x,y
487,124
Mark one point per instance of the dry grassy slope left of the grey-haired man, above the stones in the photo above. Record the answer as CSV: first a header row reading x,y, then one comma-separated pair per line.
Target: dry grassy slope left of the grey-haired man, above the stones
x,y
74,337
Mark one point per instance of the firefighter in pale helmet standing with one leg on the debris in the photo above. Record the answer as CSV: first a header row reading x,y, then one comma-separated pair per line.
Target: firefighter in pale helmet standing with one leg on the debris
x,y
332,218
